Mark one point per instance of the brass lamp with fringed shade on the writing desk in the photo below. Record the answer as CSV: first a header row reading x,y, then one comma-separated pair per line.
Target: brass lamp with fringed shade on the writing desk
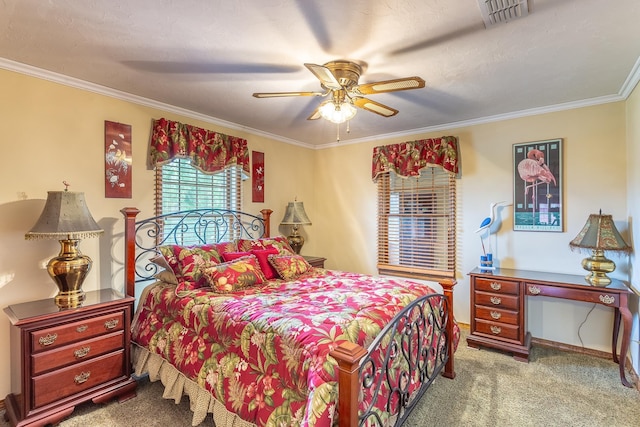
x,y
599,234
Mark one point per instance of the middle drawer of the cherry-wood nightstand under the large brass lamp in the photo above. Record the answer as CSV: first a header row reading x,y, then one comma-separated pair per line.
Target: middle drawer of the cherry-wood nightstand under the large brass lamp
x,y
76,352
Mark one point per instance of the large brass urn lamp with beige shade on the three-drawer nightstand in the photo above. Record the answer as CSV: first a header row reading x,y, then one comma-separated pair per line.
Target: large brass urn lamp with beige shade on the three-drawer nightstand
x,y
66,218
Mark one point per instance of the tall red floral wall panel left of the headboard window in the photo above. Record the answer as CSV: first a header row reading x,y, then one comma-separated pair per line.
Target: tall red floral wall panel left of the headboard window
x,y
117,160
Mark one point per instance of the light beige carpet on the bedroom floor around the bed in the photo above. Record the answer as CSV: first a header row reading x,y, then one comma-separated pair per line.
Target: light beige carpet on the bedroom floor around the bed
x,y
490,389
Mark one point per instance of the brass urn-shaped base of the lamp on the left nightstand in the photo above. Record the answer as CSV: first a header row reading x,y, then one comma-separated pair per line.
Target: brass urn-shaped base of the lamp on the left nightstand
x,y
68,270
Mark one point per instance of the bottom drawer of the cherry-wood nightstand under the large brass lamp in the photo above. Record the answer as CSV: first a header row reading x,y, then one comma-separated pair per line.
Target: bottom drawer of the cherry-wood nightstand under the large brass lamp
x,y
76,378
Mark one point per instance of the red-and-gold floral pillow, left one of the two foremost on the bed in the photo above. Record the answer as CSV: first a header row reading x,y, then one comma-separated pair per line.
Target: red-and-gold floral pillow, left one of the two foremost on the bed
x,y
234,275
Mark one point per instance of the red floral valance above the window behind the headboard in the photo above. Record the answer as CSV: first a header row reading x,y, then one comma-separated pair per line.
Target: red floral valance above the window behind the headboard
x,y
209,151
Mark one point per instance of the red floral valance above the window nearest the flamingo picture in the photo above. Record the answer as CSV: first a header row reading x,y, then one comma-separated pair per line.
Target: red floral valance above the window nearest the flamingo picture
x,y
408,158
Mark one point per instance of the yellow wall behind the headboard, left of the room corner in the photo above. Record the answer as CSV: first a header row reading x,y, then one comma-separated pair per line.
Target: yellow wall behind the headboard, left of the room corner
x,y
52,133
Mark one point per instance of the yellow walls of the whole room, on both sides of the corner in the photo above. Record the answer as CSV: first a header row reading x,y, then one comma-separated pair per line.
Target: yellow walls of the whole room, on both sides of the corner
x,y
53,132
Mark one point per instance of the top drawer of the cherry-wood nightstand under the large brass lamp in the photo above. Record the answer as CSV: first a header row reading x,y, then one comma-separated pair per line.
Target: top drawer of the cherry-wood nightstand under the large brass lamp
x,y
45,339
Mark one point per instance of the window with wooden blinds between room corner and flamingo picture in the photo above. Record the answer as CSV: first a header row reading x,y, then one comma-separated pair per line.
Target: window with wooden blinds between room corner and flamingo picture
x,y
416,224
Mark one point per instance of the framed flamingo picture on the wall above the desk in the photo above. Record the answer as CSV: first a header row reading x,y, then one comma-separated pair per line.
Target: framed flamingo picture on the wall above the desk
x,y
537,186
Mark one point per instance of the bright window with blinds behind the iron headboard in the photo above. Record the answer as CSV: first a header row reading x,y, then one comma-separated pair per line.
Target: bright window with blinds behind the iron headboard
x,y
180,187
